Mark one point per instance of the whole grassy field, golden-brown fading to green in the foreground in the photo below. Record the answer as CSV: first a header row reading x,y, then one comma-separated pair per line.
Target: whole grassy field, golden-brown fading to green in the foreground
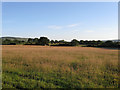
x,y
59,67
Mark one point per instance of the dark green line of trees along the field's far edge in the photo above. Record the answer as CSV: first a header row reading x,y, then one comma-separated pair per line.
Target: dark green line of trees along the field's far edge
x,y
44,41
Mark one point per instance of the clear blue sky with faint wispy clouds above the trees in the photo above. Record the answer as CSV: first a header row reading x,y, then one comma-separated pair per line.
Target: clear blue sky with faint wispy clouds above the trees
x,y
83,20
